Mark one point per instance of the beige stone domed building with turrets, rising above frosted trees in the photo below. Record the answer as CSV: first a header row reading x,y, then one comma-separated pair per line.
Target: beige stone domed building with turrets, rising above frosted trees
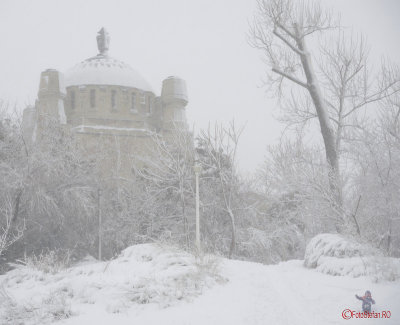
x,y
105,100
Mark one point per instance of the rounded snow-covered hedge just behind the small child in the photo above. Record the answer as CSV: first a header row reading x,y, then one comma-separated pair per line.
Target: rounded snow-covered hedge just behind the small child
x,y
336,255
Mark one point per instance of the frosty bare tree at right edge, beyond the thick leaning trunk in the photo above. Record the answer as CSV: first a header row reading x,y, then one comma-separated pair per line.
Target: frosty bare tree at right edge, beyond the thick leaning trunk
x,y
376,151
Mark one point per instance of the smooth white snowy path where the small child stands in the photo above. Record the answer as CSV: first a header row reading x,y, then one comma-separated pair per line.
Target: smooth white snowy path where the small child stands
x,y
257,294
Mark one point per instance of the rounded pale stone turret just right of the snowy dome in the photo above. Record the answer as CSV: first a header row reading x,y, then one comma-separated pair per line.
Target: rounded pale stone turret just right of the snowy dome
x,y
174,100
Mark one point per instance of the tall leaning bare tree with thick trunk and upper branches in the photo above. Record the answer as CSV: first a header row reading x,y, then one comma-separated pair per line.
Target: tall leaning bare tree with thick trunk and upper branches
x,y
281,30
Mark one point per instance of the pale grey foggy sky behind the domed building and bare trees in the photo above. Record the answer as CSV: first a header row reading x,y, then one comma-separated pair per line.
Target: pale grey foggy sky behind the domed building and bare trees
x,y
203,42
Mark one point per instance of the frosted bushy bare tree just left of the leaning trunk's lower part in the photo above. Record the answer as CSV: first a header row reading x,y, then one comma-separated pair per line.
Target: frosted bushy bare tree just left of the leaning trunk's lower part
x,y
295,177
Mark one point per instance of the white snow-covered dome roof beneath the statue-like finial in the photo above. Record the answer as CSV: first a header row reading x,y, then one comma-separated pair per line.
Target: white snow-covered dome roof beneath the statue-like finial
x,y
105,70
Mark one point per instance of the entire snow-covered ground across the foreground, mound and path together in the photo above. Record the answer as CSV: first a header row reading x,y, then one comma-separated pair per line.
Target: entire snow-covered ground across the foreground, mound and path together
x,y
151,285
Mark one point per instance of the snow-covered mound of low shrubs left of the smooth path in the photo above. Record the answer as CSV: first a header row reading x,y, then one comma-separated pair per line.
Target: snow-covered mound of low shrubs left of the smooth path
x,y
141,274
